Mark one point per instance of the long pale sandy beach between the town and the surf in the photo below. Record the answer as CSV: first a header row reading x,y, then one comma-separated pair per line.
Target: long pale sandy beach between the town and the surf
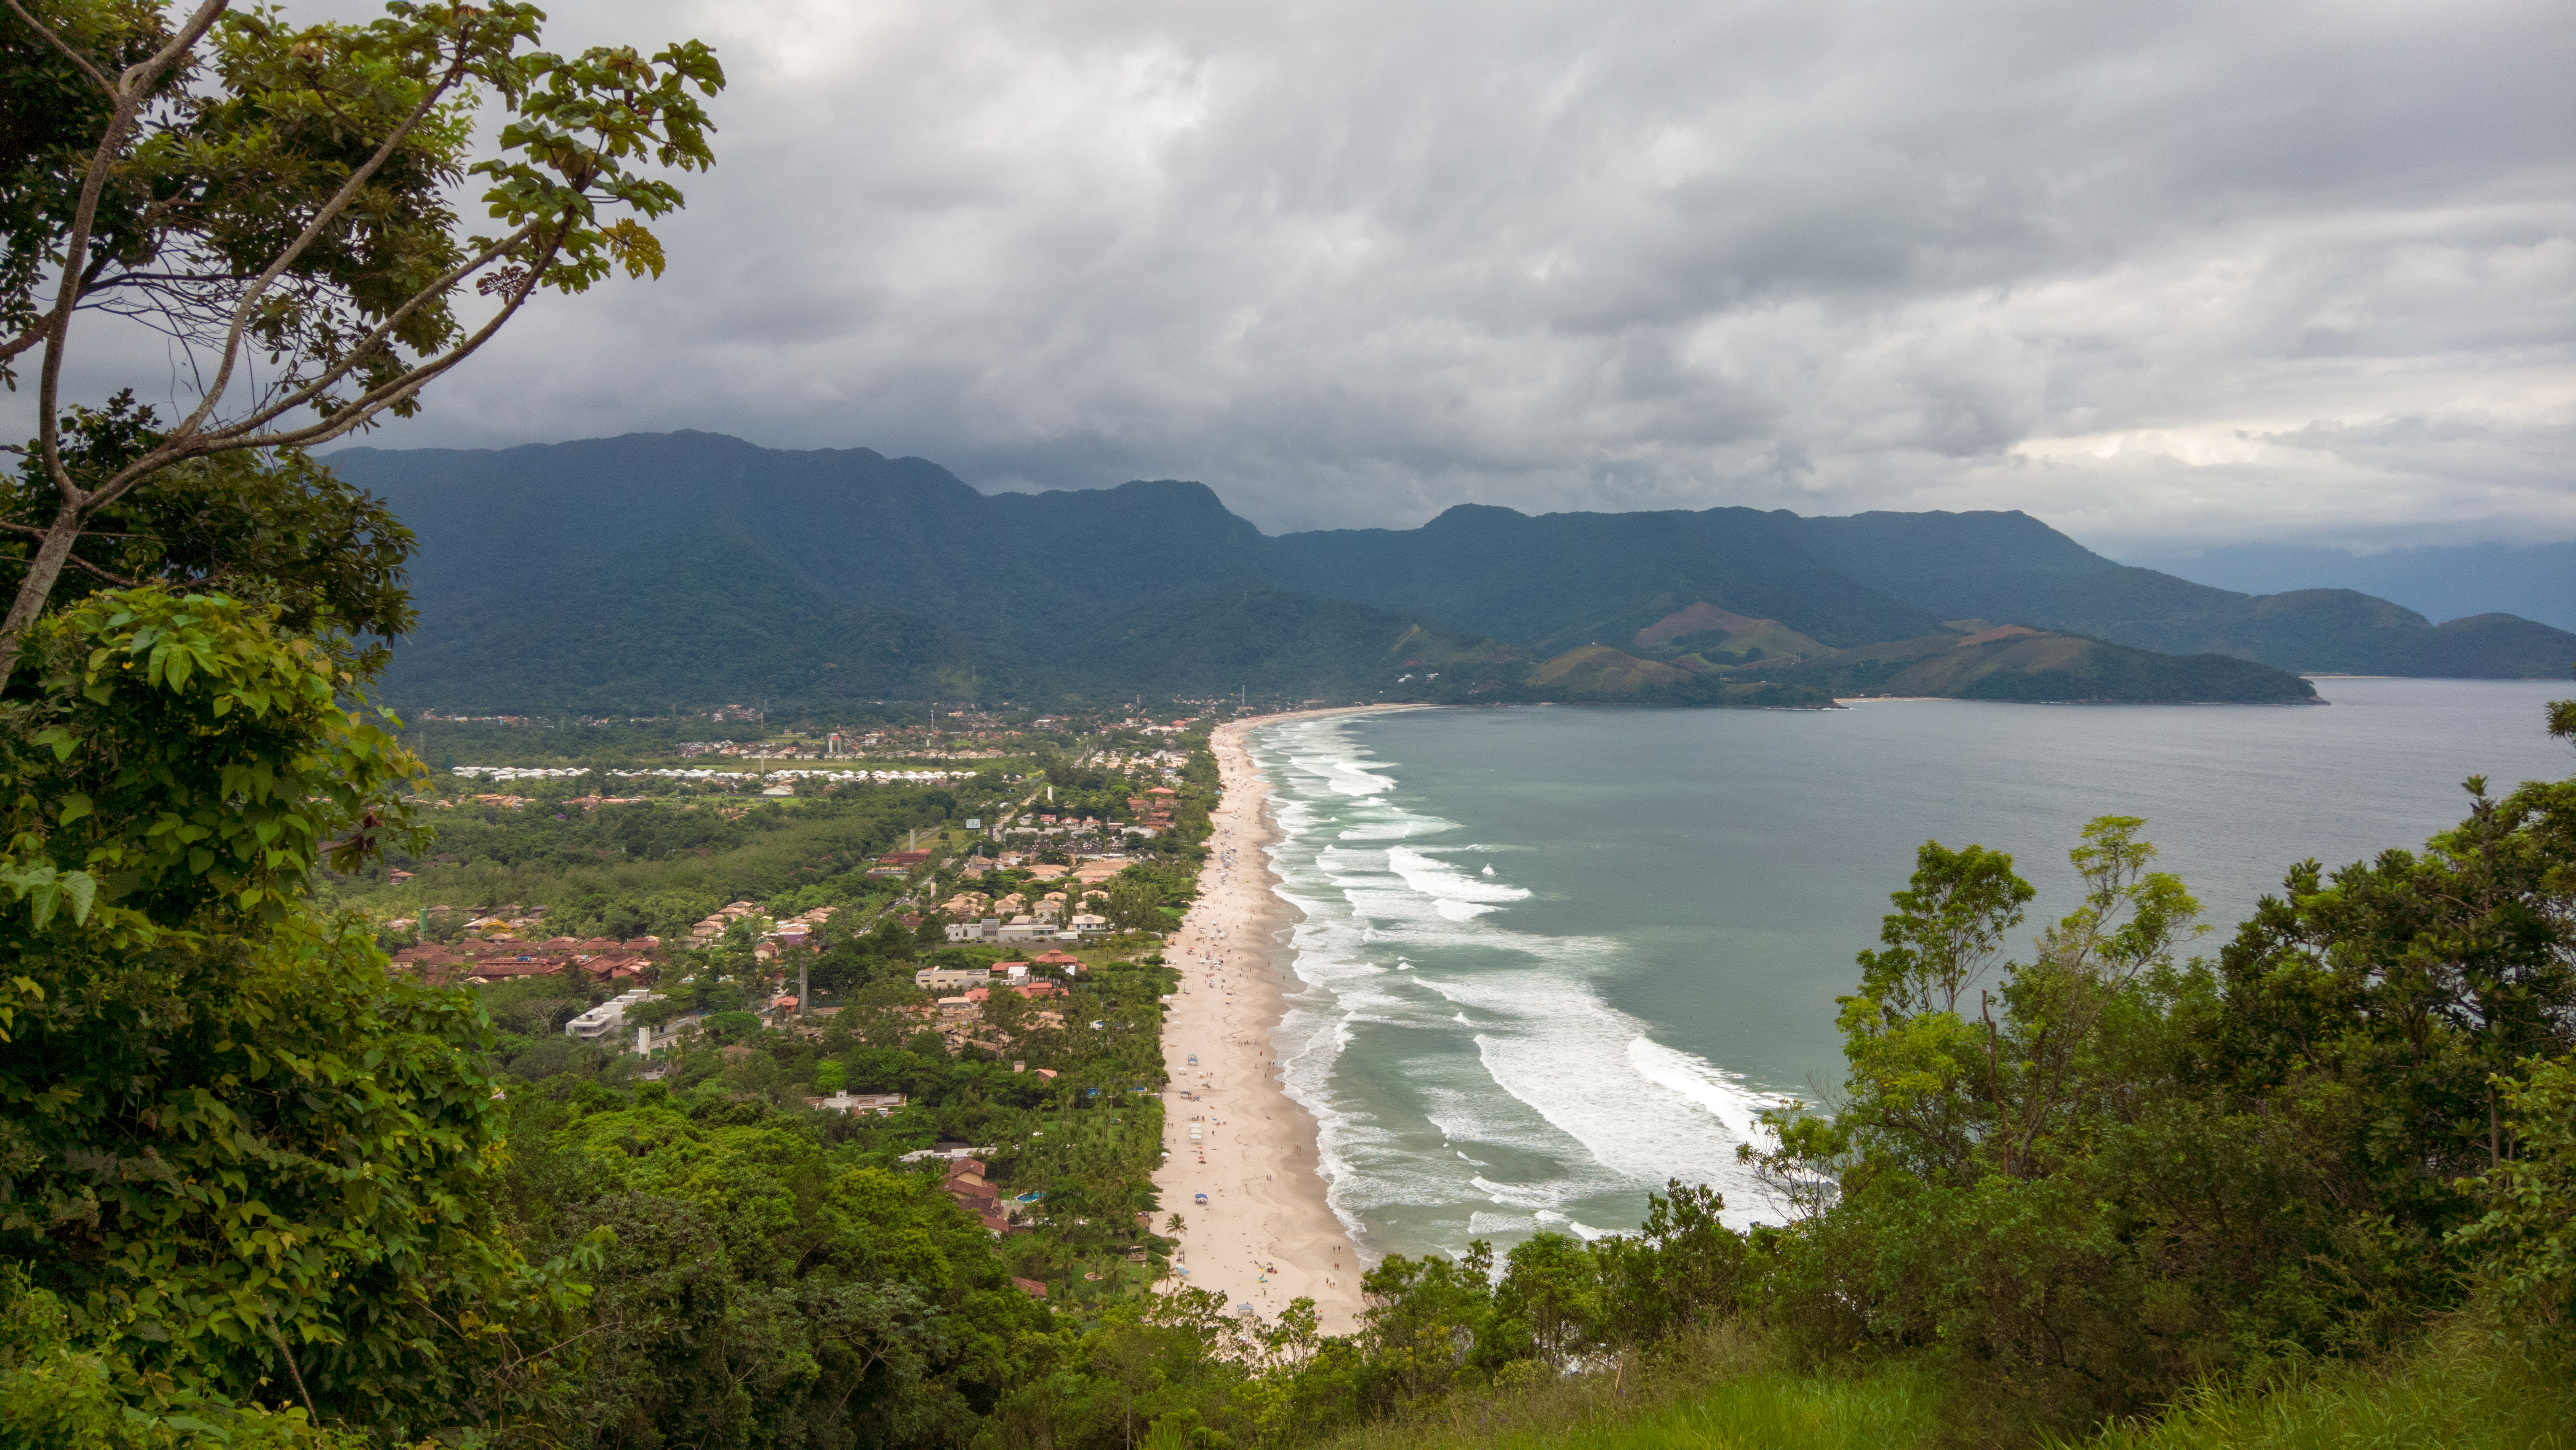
x,y
1233,1135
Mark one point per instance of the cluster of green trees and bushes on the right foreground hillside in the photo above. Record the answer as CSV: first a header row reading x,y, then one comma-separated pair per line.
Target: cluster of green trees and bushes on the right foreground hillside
x,y
2126,1171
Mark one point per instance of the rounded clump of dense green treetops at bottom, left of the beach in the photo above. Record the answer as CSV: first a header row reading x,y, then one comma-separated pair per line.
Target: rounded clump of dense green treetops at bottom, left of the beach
x,y
766,1289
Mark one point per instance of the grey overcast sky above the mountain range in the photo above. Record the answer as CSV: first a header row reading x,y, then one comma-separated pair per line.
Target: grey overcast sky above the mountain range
x,y
2163,274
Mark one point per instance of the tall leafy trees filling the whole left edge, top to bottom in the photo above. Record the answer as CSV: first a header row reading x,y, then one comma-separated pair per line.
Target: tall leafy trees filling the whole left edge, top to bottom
x,y
246,1178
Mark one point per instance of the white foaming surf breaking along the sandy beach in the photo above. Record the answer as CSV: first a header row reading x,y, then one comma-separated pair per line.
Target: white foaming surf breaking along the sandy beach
x,y
1395,936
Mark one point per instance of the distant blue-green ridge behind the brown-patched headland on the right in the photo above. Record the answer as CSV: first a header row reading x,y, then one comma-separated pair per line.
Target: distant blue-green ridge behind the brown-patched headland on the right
x,y
1570,578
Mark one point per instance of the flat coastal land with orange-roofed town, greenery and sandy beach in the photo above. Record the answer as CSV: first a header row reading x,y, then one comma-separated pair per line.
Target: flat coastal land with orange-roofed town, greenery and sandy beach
x,y
1057,923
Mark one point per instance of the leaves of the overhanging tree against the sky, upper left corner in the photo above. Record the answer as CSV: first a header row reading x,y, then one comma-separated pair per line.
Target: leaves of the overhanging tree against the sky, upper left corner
x,y
287,120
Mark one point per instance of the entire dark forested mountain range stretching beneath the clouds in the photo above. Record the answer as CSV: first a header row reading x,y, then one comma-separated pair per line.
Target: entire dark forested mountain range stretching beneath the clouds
x,y
674,570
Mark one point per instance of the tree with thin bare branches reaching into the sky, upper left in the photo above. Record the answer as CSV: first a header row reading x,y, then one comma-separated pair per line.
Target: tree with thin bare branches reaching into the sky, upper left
x,y
282,205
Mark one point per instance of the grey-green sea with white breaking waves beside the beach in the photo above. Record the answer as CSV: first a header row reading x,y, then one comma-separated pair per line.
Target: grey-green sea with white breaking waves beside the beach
x,y
1555,957
